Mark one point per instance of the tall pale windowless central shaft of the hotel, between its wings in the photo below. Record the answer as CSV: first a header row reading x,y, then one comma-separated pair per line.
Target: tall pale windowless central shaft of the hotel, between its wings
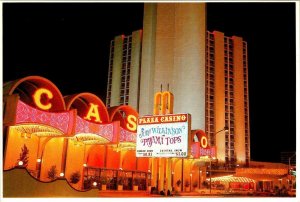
x,y
173,53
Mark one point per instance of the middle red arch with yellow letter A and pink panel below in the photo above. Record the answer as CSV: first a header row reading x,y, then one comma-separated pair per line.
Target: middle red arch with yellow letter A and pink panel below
x,y
92,123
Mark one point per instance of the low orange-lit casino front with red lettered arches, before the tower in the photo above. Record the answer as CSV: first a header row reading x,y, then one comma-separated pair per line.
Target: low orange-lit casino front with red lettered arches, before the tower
x,y
77,139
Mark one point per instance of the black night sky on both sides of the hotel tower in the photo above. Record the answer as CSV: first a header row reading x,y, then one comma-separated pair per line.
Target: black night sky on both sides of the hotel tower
x,y
68,43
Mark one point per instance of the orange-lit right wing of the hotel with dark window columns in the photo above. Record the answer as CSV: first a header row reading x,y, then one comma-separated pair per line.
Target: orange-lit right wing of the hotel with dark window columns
x,y
227,97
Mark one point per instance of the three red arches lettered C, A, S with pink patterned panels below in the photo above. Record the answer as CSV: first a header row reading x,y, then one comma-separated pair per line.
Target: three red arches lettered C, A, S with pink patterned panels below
x,y
33,106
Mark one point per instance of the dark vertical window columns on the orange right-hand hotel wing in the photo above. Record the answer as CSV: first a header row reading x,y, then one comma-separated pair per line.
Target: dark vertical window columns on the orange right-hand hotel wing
x,y
229,120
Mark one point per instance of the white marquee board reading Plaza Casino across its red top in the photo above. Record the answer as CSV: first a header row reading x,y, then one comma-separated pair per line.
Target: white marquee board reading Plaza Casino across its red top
x,y
163,136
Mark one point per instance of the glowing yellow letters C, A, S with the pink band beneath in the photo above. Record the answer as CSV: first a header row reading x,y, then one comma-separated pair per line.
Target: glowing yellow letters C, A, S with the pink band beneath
x,y
94,121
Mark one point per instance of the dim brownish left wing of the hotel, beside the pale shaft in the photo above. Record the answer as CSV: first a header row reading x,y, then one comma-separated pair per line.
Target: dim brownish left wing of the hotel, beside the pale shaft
x,y
124,64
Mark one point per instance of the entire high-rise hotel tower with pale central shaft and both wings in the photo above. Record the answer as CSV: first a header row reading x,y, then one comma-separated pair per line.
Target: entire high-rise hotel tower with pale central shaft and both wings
x,y
206,72
